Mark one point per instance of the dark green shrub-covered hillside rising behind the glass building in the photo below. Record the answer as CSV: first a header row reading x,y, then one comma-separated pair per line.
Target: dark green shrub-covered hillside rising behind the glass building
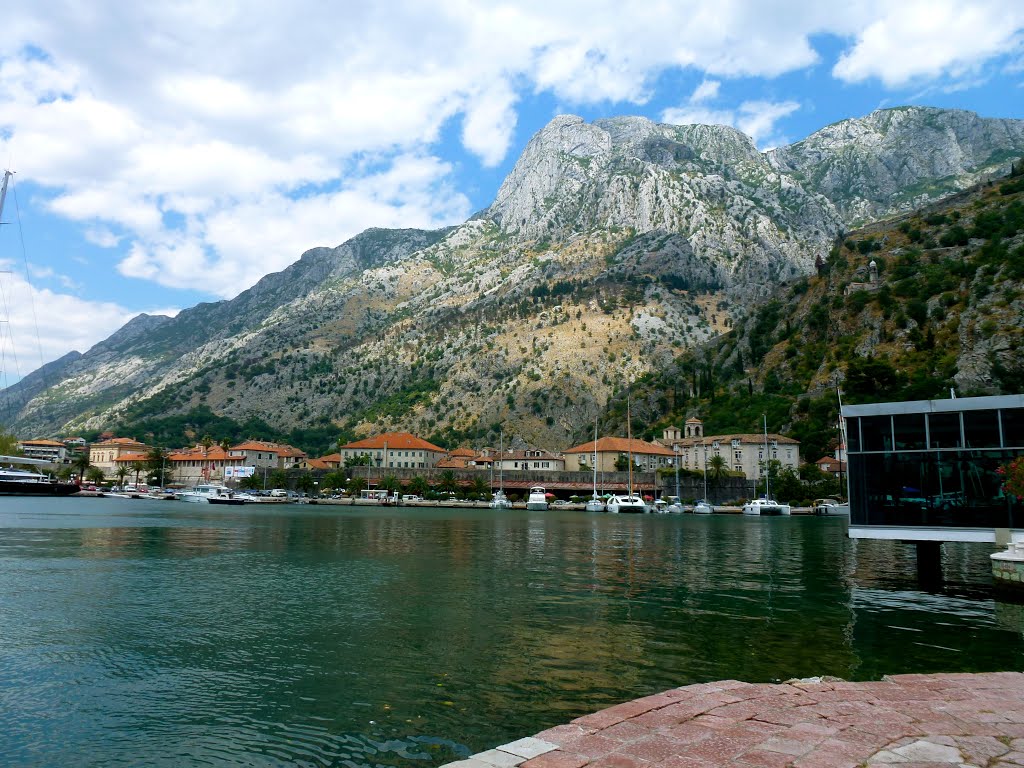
x,y
947,313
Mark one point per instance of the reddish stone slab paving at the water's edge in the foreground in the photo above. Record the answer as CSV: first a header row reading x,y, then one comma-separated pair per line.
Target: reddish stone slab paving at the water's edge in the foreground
x,y
904,721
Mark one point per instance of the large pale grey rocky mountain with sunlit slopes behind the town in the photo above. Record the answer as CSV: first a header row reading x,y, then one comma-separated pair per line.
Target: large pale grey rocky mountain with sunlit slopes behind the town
x,y
611,248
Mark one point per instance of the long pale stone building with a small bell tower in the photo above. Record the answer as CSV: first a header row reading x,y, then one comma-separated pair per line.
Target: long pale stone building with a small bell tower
x,y
746,453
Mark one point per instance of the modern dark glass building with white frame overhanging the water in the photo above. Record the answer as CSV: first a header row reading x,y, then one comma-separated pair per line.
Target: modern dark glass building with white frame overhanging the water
x,y
928,471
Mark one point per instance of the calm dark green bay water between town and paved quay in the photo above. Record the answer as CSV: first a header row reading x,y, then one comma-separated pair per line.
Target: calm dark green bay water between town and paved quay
x,y
161,633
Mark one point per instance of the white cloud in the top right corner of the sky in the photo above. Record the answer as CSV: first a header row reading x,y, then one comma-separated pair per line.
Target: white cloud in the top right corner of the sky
x,y
932,38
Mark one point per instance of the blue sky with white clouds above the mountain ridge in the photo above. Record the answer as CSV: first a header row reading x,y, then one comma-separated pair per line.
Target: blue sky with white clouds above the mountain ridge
x,y
173,153
